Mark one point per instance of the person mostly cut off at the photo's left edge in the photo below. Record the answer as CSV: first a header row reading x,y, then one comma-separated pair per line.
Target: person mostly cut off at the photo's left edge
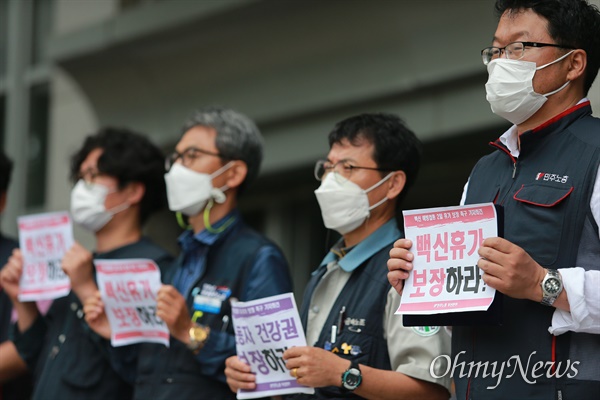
x,y
11,364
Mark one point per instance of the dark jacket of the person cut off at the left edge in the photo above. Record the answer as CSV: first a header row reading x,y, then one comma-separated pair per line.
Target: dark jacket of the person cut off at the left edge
x,y
19,388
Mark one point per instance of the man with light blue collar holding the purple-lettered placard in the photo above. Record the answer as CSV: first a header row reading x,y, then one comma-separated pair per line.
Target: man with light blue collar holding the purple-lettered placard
x,y
357,347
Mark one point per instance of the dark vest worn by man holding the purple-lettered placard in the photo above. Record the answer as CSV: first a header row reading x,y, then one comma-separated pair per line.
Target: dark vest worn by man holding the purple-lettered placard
x,y
365,297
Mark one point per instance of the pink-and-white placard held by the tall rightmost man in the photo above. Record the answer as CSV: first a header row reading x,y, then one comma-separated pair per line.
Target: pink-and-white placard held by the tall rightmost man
x,y
445,277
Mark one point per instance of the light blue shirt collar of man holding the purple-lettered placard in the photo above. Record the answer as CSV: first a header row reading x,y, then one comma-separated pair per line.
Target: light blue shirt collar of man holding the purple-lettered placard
x,y
381,238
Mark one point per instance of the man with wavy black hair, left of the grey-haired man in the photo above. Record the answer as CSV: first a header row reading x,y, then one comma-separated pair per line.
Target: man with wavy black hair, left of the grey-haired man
x,y
119,184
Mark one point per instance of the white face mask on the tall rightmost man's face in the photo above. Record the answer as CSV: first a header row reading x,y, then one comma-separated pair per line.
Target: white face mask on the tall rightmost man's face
x,y
510,88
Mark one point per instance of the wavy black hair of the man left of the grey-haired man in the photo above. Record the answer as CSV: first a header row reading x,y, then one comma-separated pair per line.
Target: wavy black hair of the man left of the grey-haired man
x,y
129,157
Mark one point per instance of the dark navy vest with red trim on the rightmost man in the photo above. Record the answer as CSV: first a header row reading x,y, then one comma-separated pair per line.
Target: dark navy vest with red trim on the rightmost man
x,y
546,198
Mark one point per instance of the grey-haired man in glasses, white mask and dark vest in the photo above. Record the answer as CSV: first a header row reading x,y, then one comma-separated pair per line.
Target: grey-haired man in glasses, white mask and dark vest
x,y
222,259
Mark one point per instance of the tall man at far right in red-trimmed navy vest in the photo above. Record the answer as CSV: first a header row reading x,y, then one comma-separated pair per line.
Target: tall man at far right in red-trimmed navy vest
x,y
544,57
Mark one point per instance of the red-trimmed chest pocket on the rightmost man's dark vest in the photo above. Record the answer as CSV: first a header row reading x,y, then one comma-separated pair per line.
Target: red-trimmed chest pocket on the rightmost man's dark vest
x,y
538,227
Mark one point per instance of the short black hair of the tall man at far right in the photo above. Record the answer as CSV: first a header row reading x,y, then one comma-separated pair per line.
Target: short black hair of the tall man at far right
x,y
573,23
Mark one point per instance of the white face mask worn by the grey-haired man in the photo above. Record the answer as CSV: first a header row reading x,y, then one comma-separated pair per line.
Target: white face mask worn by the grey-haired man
x,y
188,191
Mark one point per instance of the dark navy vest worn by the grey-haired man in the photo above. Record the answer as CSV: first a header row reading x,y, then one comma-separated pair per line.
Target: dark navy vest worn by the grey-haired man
x,y
174,373
